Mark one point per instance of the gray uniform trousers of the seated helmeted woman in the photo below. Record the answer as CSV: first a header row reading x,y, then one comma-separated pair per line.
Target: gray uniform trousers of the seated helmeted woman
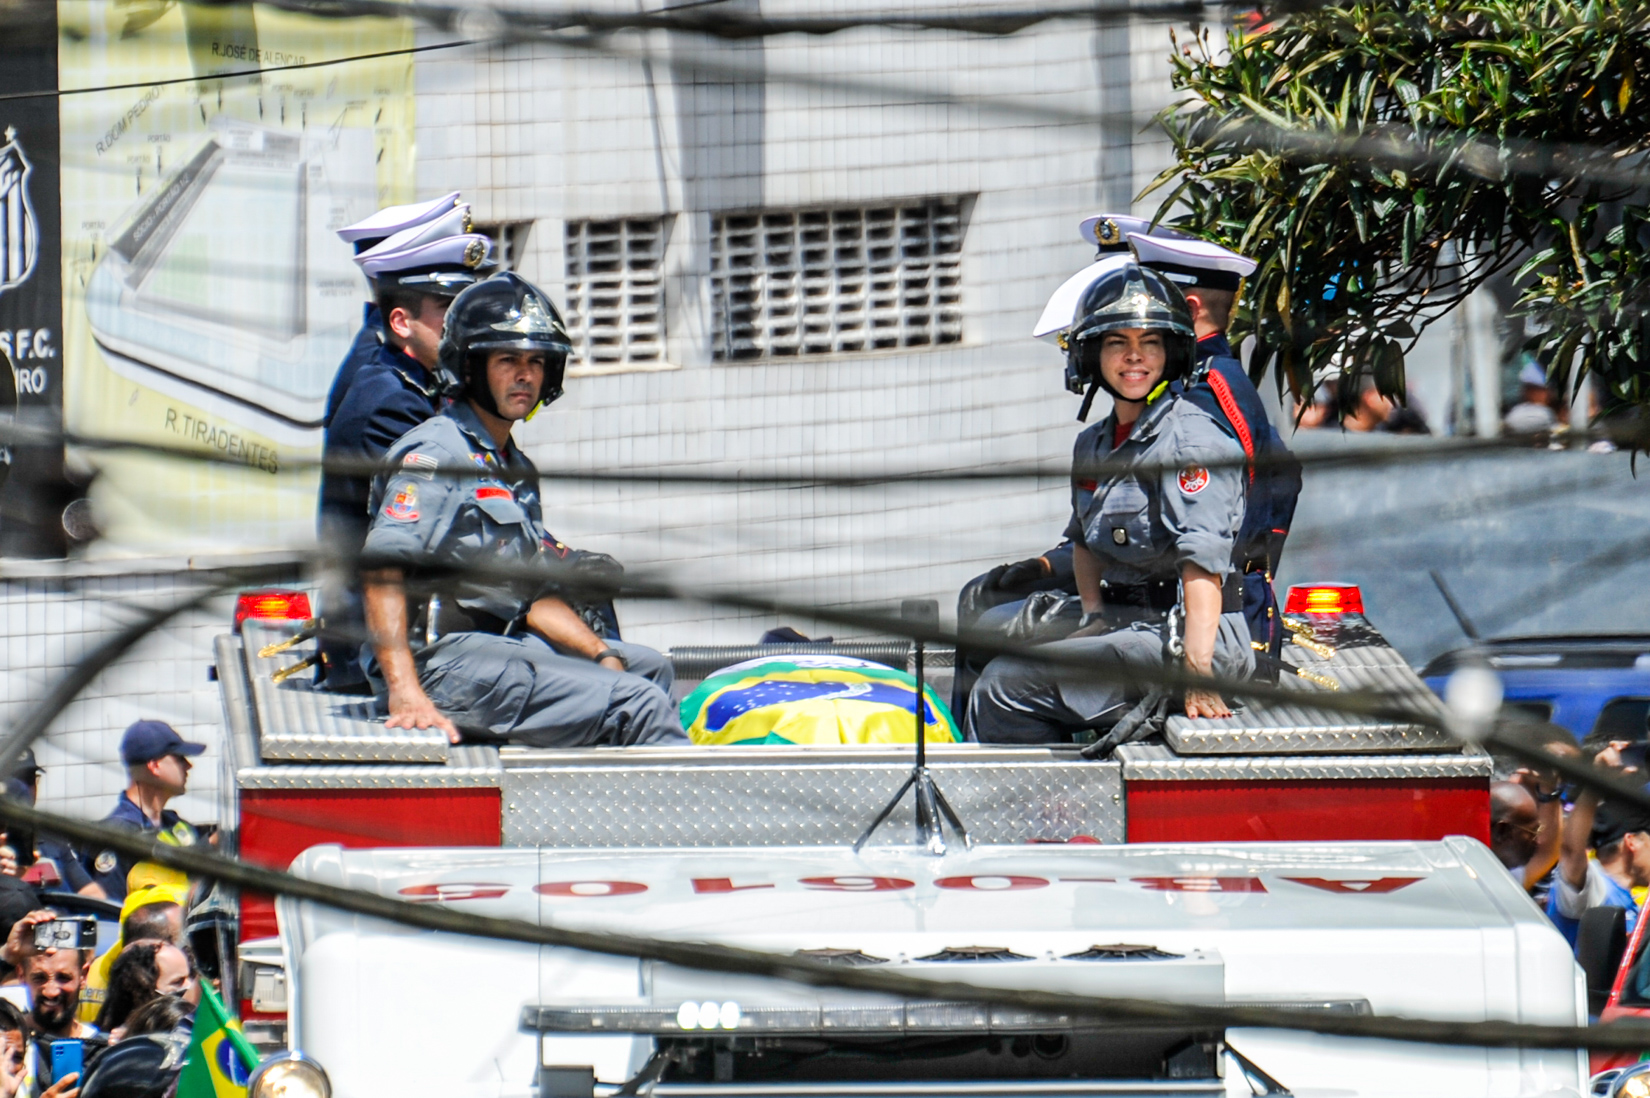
x,y
1024,703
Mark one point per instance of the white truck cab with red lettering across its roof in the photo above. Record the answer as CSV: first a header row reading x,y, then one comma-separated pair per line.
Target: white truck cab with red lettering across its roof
x,y
1418,929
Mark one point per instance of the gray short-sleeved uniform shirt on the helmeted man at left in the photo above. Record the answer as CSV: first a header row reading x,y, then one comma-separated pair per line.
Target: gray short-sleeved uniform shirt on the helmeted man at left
x,y
448,523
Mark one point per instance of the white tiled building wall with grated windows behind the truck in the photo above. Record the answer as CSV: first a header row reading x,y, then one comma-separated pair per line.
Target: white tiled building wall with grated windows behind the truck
x,y
763,273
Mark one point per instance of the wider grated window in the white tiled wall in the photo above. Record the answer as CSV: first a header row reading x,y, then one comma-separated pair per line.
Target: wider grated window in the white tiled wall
x,y
837,282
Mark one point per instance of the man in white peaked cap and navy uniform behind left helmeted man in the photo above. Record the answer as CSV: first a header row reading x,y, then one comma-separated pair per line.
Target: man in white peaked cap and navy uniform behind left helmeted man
x,y
417,272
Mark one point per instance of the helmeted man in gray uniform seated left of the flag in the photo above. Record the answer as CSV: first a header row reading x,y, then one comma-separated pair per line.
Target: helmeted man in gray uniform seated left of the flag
x,y
502,656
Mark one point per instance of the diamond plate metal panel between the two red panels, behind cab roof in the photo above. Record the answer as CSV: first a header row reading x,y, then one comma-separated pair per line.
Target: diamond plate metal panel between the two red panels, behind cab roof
x,y
691,798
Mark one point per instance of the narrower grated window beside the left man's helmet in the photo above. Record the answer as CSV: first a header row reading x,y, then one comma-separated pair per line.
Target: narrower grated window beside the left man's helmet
x,y
616,311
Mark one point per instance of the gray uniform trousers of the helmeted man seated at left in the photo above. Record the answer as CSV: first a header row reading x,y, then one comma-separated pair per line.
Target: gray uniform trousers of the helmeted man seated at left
x,y
521,689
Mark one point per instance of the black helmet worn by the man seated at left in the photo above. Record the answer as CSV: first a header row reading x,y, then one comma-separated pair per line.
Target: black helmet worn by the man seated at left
x,y
504,313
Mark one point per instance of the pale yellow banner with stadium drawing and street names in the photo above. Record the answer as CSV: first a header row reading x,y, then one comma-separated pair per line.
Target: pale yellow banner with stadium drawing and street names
x,y
207,300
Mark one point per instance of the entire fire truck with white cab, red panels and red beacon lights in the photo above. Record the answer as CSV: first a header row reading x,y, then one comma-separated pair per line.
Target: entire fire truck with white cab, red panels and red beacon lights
x,y
316,770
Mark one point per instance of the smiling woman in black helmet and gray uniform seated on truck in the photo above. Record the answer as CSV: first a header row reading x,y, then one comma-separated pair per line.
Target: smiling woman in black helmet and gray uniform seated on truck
x,y
1157,503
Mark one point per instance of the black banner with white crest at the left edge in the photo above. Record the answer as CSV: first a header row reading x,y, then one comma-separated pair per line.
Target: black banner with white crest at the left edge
x,y
31,282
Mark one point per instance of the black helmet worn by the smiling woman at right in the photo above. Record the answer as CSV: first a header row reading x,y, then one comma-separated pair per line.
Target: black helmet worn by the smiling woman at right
x,y
1128,296
